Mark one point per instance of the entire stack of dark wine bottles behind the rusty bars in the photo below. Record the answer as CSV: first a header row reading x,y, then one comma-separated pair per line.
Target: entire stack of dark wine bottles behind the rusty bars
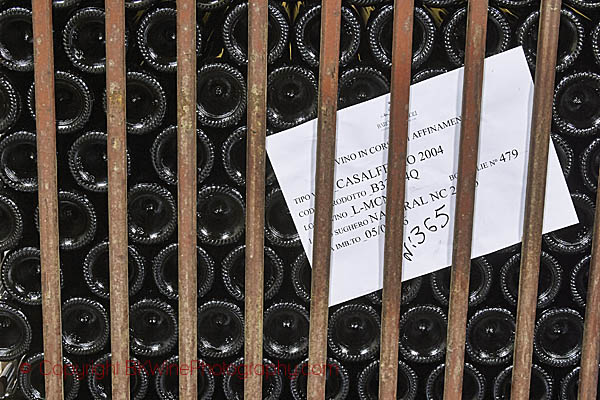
x,y
293,59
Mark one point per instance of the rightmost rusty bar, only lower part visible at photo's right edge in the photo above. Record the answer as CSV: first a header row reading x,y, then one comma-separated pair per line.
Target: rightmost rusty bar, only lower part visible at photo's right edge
x,y
588,374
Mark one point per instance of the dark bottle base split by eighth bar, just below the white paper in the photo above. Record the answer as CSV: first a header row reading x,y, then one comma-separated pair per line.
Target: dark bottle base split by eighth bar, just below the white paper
x,y
549,281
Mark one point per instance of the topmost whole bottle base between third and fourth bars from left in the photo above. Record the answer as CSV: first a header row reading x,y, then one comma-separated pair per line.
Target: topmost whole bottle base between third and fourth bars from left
x,y
221,95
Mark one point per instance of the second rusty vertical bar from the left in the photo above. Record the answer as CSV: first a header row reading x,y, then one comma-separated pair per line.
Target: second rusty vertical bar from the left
x,y
117,192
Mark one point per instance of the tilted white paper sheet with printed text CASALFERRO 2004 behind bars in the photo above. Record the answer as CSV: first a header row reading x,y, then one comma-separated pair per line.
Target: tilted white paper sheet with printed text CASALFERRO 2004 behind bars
x,y
434,132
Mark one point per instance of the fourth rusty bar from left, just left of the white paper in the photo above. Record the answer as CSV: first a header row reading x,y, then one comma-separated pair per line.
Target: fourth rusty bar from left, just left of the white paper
x,y
255,192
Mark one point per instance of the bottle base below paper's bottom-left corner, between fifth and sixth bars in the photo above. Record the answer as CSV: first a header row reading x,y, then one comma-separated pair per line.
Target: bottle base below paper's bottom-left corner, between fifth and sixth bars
x,y
354,332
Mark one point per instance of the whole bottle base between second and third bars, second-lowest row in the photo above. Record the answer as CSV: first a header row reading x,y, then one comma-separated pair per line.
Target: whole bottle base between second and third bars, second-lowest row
x,y
153,328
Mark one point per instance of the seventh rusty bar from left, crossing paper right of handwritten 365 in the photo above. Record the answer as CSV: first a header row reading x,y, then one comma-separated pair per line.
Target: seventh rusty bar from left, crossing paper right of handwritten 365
x,y
465,198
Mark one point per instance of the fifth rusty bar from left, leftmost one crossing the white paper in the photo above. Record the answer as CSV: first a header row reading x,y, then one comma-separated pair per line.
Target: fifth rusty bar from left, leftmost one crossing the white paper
x,y
326,133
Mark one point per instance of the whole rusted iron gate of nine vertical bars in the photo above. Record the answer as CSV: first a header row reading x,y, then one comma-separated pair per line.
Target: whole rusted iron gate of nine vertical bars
x,y
328,76
